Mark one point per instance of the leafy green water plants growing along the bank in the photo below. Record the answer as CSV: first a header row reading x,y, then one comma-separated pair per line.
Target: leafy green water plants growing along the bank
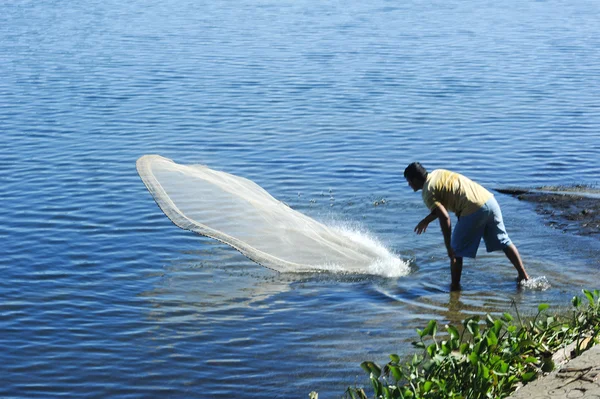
x,y
484,358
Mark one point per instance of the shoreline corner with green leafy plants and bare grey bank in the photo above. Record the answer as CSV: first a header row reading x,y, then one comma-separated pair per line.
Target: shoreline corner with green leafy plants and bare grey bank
x,y
548,356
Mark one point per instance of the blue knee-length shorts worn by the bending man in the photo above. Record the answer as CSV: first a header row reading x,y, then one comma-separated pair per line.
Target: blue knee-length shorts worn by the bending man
x,y
485,222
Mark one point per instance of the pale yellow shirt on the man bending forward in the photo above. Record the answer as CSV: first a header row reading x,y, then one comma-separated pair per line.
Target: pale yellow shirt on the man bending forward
x,y
457,193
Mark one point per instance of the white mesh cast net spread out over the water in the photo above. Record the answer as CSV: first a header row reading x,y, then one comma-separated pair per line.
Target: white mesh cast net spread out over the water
x,y
238,212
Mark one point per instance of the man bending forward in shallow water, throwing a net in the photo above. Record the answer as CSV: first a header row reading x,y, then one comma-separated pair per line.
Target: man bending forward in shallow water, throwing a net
x,y
478,215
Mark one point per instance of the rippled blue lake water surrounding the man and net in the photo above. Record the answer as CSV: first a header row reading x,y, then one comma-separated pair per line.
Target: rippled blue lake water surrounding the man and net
x,y
321,103
